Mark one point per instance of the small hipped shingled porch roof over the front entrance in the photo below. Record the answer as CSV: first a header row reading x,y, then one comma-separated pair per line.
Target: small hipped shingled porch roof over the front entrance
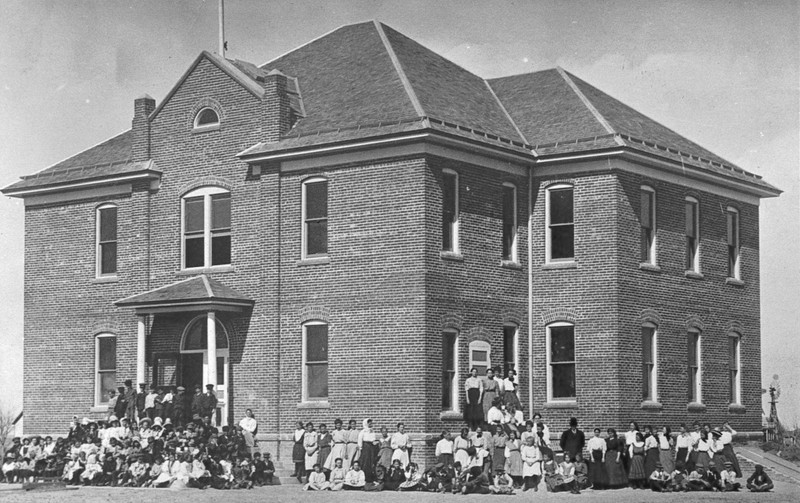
x,y
199,293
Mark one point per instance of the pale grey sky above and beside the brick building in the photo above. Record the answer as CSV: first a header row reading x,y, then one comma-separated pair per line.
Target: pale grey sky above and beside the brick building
x,y
725,74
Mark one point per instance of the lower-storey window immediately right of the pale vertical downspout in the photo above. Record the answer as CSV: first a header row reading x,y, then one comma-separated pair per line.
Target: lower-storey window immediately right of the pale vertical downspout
x,y
561,362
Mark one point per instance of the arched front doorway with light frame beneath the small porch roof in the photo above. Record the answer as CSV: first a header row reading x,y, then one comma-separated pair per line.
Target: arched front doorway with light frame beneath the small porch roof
x,y
194,363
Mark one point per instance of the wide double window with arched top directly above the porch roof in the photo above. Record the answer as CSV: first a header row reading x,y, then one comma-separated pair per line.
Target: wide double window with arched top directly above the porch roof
x,y
207,227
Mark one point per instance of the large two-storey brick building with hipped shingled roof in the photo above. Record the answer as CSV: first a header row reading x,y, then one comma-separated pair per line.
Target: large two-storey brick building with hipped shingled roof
x,y
345,230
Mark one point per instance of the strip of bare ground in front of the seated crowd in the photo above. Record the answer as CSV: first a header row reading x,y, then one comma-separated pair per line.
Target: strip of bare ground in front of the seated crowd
x,y
784,492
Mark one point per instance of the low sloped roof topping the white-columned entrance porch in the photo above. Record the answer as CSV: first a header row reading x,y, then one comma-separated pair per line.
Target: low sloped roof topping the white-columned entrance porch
x,y
198,289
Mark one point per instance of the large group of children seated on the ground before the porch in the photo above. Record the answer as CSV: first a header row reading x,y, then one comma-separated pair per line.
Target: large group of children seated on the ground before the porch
x,y
150,454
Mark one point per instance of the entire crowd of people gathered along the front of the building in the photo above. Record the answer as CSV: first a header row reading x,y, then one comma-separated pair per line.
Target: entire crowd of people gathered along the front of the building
x,y
168,439
